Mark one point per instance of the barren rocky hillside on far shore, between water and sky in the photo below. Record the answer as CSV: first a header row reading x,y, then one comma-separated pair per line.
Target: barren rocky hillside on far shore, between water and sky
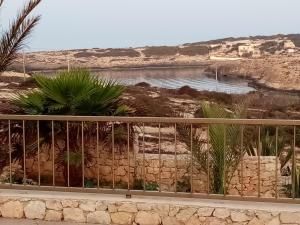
x,y
271,61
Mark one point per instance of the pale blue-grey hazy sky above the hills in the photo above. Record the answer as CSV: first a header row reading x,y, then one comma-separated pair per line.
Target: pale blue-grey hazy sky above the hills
x,y
69,24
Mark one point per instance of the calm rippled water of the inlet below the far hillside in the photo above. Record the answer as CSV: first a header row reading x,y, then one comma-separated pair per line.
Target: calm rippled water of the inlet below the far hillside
x,y
176,78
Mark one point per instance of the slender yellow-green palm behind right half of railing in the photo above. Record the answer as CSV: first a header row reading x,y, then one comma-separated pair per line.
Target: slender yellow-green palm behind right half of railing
x,y
219,155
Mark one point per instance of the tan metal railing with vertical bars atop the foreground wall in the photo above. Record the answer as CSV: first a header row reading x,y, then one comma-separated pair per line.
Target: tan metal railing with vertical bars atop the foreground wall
x,y
22,137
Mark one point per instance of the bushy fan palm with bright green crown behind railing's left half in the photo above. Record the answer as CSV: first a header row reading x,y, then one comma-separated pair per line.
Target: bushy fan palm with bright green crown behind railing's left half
x,y
70,93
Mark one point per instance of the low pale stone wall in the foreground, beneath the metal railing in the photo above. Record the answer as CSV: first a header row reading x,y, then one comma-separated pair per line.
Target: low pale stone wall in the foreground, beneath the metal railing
x,y
101,209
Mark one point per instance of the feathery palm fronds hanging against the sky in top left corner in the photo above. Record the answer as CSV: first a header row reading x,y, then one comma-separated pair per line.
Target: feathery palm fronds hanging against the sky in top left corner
x,y
13,40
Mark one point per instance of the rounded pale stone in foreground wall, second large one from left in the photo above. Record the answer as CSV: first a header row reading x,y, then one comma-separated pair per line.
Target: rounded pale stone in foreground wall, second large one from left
x,y
35,210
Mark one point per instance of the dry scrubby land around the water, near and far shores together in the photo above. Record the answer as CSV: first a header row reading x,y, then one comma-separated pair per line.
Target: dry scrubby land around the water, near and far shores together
x,y
269,63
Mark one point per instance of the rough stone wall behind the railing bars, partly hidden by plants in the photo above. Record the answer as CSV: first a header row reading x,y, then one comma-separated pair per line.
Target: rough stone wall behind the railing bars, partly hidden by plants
x,y
167,175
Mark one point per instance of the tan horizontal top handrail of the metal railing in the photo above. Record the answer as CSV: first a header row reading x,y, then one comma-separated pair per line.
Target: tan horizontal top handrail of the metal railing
x,y
152,120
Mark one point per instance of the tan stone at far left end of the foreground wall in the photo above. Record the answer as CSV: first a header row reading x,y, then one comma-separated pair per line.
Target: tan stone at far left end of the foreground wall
x,y
12,209
